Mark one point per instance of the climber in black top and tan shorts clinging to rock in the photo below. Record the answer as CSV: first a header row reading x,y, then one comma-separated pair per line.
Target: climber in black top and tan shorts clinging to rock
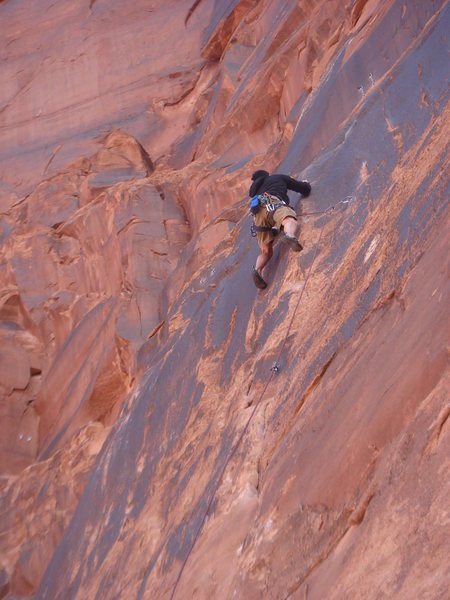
x,y
272,214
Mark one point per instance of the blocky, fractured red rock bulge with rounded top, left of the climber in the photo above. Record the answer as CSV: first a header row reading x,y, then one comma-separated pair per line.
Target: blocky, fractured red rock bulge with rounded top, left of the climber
x,y
86,279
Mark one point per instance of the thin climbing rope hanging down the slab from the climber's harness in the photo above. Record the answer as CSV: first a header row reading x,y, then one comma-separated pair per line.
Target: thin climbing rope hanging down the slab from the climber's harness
x,y
274,369
